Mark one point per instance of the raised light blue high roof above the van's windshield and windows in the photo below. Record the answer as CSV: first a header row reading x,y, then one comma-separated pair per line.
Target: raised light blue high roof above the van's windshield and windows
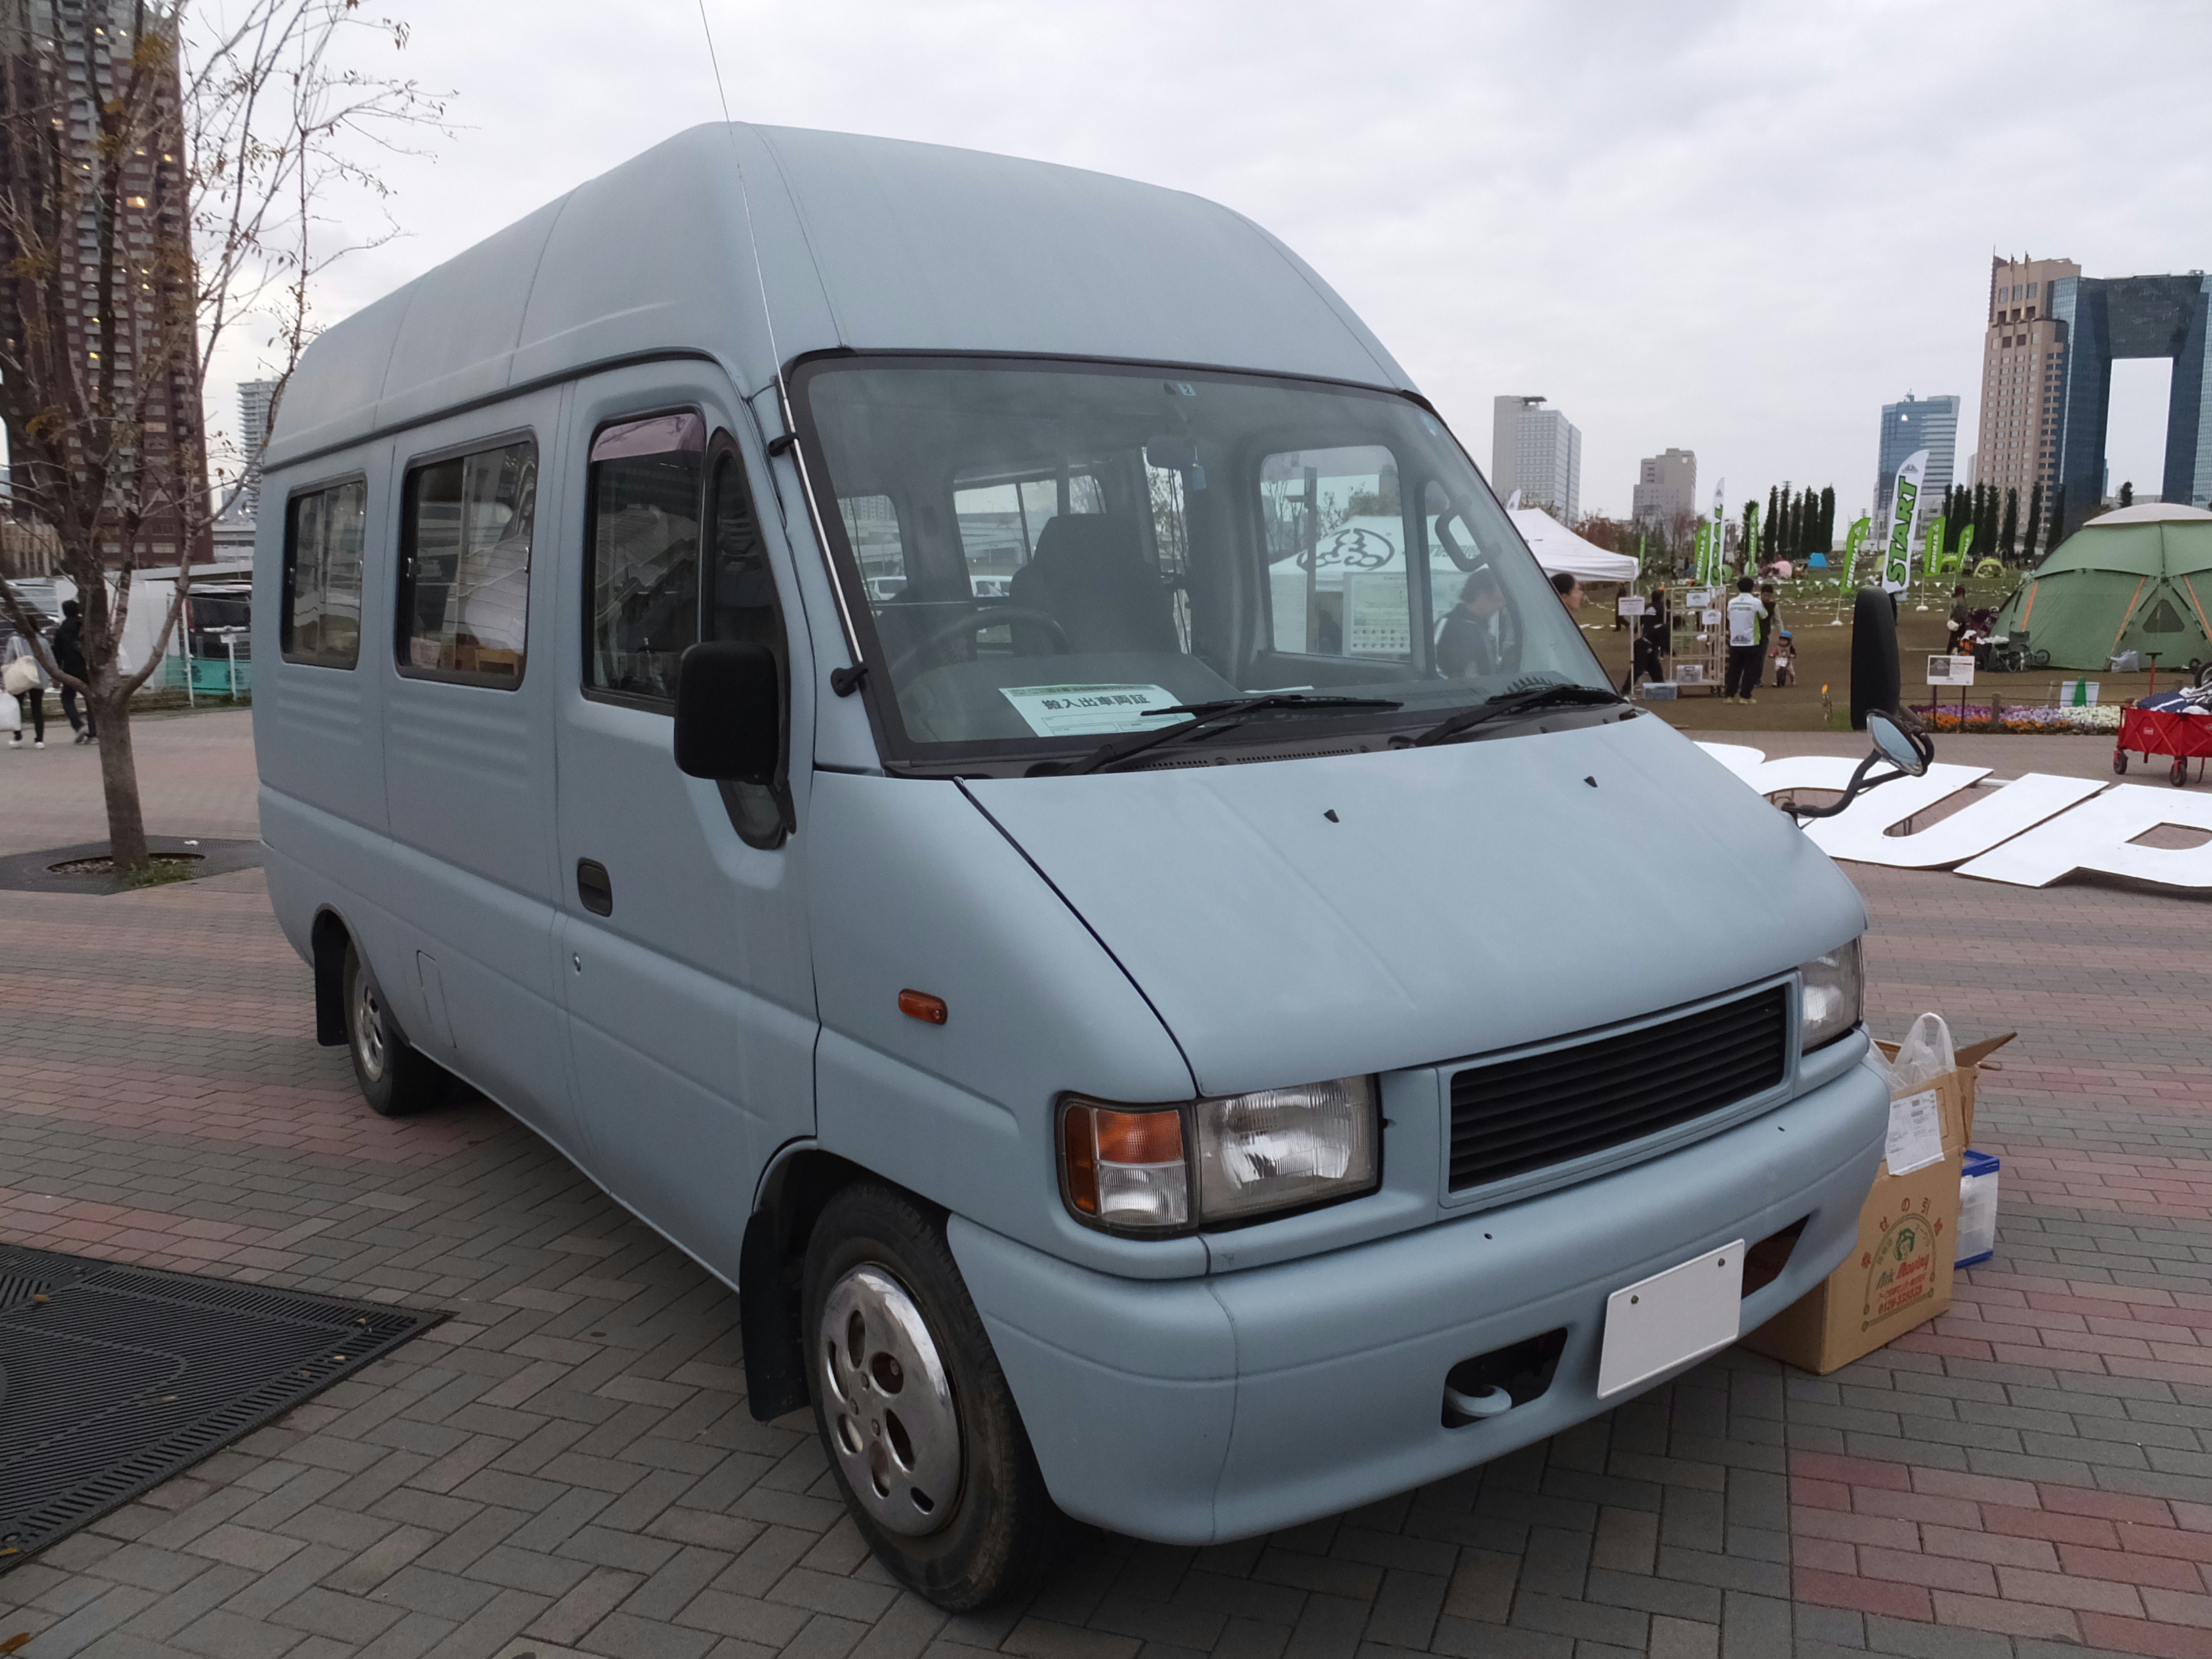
x,y
864,242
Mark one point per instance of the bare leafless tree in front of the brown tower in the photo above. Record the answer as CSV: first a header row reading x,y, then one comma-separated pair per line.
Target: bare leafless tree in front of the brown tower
x,y
165,185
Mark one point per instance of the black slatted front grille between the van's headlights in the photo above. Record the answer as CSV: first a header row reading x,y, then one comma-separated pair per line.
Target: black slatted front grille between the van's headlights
x,y
1569,1103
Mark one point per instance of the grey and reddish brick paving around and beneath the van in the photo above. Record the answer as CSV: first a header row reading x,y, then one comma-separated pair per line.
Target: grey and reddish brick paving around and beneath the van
x,y
567,1463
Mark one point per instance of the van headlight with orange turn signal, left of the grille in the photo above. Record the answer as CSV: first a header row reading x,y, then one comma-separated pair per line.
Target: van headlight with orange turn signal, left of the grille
x,y
1231,1158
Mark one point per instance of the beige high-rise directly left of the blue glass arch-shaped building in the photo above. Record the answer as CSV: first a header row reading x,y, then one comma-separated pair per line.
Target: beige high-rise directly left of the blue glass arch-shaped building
x,y
2023,366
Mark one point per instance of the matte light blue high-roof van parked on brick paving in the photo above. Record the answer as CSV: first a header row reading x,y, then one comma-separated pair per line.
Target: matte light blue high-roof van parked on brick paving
x,y
963,740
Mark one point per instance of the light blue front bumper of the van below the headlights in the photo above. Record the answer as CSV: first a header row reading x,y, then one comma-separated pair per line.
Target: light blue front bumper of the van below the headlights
x,y
1220,1408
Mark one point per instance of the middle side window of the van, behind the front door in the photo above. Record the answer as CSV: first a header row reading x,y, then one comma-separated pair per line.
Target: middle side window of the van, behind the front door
x,y
466,567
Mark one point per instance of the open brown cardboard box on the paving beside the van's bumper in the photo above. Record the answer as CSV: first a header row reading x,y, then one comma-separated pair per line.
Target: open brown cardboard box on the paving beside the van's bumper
x,y
1899,1275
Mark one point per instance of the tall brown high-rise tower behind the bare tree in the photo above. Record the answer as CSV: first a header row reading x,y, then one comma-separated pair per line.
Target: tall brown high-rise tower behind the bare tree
x,y
79,59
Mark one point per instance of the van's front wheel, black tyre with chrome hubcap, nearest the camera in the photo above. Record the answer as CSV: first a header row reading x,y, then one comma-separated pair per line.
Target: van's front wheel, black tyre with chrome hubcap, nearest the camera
x,y
946,1490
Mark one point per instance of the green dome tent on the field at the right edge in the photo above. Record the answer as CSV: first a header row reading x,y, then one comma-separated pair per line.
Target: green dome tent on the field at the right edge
x,y
2131,581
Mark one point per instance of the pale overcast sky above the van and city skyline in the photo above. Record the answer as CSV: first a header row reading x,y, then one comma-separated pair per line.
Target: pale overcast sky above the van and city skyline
x,y
1738,229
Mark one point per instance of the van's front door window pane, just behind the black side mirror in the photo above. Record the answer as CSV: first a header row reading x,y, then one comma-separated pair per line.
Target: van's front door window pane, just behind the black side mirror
x,y
643,554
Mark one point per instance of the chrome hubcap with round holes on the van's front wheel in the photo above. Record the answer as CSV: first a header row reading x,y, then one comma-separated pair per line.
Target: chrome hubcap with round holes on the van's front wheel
x,y
890,1404
